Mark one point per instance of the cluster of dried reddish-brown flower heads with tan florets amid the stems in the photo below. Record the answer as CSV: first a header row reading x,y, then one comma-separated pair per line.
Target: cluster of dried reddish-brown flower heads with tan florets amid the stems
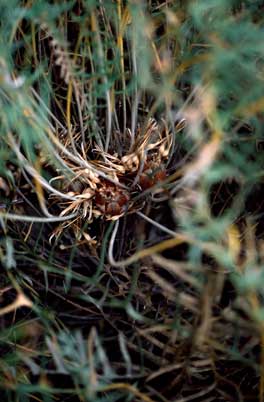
x,y
109,187
